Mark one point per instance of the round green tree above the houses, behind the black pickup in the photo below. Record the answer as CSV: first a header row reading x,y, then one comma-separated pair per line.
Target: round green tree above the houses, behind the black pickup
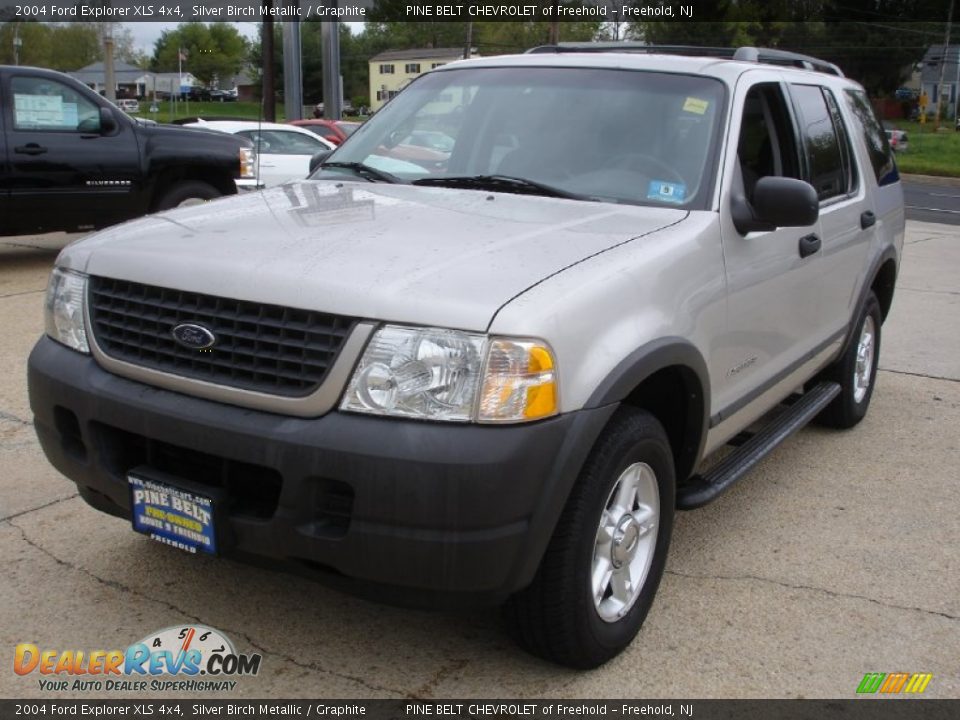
x,y
213,53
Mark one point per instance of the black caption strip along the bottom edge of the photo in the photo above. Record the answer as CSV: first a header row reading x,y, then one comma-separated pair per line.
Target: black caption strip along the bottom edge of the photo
x,y
854,709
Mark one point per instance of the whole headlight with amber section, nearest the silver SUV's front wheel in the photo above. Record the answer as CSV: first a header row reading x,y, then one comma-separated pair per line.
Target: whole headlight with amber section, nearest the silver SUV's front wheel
x,y
436,374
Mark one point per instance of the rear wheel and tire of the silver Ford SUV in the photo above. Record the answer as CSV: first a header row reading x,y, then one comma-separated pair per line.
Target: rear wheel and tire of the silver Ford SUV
x,y
856,375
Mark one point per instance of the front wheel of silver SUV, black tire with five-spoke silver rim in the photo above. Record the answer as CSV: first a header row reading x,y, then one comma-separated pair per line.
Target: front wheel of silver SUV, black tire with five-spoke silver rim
x,y
603,565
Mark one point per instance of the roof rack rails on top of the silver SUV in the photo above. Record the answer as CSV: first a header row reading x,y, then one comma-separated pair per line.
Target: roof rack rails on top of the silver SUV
x,y
745,54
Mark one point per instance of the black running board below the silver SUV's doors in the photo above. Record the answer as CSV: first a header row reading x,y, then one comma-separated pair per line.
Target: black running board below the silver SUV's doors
x,y
703,489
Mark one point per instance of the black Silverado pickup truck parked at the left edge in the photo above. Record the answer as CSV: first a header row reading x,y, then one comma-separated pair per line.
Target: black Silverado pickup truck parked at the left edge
x,y
72,161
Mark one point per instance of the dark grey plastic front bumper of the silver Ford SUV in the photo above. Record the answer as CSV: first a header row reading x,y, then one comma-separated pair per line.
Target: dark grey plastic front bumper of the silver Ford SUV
x,y
440,513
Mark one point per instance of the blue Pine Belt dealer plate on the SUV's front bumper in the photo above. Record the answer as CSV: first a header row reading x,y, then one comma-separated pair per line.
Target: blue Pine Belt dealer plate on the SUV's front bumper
x,y
172,516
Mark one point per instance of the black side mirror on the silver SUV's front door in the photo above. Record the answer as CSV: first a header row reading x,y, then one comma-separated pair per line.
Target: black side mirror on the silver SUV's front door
x,y
777,202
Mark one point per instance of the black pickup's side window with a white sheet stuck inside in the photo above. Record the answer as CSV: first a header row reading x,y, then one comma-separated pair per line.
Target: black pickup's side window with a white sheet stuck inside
x,y
44,104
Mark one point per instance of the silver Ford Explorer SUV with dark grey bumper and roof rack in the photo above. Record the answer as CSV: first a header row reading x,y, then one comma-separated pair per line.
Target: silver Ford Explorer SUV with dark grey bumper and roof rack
x,y
490,372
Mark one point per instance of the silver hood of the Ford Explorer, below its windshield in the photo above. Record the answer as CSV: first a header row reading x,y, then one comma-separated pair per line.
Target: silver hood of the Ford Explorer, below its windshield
x,y
430,256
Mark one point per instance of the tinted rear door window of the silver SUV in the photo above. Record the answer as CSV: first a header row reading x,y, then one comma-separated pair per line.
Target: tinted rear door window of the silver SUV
x,y
828,175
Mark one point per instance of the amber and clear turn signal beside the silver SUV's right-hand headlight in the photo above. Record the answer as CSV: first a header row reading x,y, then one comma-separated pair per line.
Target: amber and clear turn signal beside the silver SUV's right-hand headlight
x,y
519,384
